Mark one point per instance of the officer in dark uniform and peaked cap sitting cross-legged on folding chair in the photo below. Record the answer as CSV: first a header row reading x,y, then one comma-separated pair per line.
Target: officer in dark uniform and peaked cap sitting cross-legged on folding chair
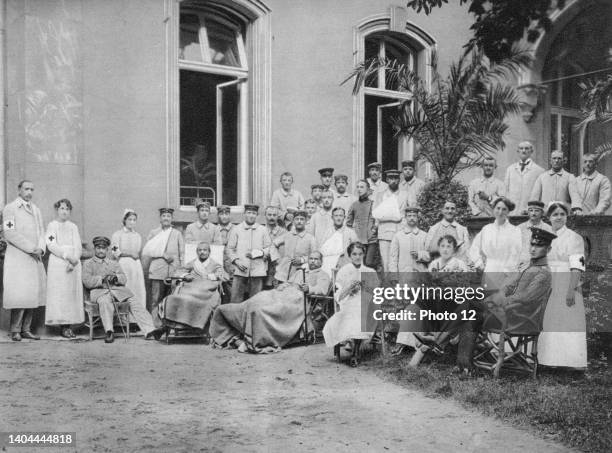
x,y
515,309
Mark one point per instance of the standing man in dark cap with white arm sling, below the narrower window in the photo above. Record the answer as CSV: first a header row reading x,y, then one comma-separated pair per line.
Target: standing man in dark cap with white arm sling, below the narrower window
x,y
388,208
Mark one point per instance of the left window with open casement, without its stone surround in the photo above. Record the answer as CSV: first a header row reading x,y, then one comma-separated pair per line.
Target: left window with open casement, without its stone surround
x,y
213,80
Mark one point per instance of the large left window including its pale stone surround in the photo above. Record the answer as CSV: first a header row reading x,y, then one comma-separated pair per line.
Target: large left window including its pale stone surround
x,y
219,101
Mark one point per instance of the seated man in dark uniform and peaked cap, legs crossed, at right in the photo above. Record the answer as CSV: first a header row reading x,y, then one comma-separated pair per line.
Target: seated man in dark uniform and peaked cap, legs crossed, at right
x,y
523,296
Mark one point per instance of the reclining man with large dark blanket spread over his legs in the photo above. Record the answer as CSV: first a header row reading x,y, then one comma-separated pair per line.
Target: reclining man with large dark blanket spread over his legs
x,y
269,320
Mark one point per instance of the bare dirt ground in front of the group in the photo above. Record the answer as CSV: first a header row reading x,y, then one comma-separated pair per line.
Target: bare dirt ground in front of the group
x,y
142,396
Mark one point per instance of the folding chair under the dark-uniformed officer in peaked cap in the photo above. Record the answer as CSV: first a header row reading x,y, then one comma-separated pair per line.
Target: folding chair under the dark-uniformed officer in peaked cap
x,y
516,349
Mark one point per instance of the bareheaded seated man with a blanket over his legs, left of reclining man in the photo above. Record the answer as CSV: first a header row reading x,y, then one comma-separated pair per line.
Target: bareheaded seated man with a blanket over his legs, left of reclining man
x,y
193,302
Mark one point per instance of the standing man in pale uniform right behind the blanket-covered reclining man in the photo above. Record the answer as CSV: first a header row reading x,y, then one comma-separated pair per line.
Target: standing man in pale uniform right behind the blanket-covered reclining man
x,y
299,244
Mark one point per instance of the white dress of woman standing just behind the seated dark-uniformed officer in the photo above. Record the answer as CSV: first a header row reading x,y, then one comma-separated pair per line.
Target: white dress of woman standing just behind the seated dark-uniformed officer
x,y
498,248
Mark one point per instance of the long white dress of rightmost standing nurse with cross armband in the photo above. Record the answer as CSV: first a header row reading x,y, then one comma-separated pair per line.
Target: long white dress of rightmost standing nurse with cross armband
x,y
563,341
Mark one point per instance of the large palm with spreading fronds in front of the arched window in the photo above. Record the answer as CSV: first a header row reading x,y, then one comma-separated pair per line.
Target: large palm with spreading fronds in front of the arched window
x,y
461,119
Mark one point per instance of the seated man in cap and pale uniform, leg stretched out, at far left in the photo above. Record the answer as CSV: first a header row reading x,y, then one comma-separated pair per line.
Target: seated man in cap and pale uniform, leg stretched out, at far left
x,y
106,281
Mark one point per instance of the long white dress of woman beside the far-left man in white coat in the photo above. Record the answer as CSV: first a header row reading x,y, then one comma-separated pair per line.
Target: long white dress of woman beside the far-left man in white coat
x,y
64,284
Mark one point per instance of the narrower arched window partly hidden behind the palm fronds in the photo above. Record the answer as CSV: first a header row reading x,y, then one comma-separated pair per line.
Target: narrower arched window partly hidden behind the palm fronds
x,y
381,97
